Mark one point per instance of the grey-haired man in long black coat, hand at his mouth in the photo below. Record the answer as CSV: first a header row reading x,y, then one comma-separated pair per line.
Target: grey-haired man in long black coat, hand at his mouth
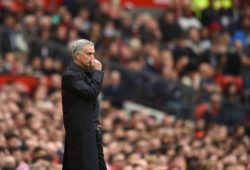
x,y
81,84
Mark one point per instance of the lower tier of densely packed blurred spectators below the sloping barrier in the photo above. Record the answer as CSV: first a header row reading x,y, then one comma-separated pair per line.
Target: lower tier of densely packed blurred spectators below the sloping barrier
x,y
32,135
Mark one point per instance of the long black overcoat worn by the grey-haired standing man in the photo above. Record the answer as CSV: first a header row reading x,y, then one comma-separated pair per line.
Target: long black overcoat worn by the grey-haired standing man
x,y
80,91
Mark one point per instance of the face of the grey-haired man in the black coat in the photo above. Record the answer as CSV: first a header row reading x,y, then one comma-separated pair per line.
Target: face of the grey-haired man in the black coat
x,y
87,56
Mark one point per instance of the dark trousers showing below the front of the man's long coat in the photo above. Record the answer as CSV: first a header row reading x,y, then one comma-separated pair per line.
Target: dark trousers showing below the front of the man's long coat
x,y
101,162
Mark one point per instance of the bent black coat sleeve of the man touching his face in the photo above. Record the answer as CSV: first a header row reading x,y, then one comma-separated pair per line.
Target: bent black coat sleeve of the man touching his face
x,y
88,89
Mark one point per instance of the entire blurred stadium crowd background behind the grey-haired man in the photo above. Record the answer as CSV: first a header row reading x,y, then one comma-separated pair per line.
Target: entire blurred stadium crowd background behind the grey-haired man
x,y
176,92
